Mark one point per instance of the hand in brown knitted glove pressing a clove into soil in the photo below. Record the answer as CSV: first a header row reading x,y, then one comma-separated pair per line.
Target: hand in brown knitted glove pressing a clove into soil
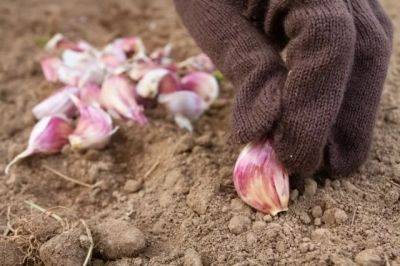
x,y
322,101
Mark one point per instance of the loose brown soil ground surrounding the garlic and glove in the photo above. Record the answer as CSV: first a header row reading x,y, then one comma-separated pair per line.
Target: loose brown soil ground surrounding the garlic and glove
x,y
166,197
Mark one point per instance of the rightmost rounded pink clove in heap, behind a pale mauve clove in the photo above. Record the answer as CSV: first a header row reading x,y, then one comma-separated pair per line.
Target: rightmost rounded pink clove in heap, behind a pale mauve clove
x,y
204,84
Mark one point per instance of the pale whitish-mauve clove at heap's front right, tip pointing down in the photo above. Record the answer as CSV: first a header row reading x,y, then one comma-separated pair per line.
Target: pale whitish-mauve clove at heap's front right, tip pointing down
x,y
185,106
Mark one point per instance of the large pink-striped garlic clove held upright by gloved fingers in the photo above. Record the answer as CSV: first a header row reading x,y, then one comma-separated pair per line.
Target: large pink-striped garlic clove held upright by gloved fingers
x,y
260,179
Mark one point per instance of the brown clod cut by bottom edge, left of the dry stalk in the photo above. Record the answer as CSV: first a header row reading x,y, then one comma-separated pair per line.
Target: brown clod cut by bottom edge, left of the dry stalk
x,y
64,249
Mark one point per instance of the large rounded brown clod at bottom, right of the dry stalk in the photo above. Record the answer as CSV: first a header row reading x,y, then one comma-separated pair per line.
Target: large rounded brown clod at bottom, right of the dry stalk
x,y
117,239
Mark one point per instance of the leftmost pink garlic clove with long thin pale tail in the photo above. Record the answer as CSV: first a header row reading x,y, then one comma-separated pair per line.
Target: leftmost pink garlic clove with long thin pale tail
x,y
48,136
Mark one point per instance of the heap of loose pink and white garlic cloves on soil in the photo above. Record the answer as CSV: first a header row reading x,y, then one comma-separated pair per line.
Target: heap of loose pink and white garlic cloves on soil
x,y
116,82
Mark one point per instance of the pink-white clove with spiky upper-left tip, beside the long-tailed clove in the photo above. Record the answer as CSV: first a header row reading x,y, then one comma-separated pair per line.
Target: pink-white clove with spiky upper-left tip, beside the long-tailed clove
x,y
94,127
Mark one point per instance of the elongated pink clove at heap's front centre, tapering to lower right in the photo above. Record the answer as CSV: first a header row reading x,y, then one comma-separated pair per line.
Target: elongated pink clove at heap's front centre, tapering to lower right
x,y
118,97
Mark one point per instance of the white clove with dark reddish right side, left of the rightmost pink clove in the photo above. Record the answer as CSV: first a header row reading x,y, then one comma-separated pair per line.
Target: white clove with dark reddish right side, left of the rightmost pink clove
x,y
157,81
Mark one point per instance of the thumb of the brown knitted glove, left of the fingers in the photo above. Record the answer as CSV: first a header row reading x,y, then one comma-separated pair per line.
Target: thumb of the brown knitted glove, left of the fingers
x,y
244,55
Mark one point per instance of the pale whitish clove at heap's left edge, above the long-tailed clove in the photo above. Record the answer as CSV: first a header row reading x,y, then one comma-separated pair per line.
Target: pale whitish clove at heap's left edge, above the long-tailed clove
x,y
58,103
